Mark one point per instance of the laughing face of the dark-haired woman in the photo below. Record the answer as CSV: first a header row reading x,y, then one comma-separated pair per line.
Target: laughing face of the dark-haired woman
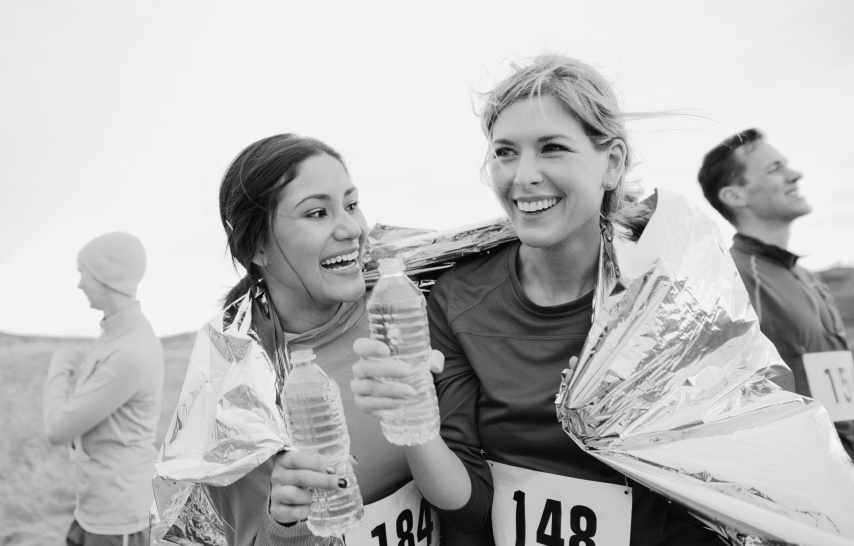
x,y
318,237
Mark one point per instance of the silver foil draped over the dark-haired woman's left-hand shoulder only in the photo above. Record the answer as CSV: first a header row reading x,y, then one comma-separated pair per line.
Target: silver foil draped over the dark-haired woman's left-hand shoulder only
x,y
226,424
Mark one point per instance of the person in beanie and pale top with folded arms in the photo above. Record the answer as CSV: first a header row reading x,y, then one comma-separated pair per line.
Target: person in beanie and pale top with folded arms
x,y
105,403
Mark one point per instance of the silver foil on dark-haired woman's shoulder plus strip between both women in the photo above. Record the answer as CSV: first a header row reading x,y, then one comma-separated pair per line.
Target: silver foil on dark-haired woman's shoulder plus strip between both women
x,y
228,420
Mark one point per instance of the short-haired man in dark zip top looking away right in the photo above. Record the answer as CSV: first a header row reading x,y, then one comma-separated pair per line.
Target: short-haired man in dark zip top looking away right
x,y
751,184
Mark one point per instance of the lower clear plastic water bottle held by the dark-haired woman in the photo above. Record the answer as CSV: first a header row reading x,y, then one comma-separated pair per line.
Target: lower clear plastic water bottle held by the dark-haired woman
x,y
315,419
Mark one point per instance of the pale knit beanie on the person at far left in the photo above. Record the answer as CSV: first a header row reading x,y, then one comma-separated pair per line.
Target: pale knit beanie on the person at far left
x,y
116,259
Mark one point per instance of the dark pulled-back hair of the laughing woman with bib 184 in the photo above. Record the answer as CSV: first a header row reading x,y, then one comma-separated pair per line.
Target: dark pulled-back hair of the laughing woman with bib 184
x,y
249,194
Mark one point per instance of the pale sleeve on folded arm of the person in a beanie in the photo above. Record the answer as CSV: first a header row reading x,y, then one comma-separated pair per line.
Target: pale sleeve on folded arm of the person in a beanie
x,y
112,383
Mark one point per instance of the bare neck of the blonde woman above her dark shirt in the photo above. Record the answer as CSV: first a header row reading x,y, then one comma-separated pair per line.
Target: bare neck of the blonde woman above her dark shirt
x,y
562,273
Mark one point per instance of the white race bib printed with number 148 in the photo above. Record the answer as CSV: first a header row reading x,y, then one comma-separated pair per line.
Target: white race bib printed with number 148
x,y
530,508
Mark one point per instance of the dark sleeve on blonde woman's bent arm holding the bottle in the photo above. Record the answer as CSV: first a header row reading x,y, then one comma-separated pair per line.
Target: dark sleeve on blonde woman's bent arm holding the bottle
x,y
458,388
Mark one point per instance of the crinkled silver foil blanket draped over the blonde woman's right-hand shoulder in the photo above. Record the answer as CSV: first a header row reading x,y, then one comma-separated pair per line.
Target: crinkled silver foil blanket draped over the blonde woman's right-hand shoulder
x,y
675,388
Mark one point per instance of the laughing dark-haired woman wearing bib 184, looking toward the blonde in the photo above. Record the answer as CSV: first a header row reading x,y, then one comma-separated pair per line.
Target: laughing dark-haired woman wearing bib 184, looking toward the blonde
x,y
293,222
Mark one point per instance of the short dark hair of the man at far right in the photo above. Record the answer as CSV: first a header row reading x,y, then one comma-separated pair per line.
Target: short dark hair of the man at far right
x,y
721,168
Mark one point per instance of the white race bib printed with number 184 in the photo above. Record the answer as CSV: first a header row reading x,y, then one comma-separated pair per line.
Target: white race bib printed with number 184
x,y
401,519
